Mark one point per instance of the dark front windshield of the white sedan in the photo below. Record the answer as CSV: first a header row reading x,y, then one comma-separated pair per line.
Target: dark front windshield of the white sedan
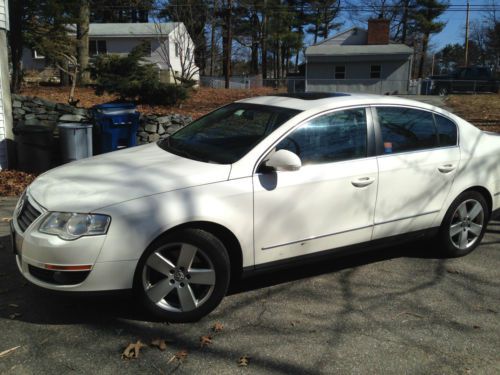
x,y
227,134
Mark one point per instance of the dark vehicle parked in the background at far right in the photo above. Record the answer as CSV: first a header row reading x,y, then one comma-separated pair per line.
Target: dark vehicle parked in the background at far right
x,y
470,79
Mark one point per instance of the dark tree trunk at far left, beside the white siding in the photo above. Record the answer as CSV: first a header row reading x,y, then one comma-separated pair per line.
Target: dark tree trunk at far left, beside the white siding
x,y
16,42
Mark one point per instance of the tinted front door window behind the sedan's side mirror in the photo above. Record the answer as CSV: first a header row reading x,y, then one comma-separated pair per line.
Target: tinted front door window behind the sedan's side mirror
x,y
336,136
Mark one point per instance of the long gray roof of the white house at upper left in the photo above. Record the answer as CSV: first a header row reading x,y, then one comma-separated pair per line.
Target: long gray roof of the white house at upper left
x,y
131,29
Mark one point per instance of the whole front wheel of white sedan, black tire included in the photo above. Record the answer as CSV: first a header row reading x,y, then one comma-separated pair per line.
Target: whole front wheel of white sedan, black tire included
x,y
183,275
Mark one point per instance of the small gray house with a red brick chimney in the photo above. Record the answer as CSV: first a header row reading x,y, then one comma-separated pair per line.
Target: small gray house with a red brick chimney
x,y
359,60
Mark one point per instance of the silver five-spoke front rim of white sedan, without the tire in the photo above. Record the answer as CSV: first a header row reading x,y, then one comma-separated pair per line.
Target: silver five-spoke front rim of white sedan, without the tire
x,y
178,277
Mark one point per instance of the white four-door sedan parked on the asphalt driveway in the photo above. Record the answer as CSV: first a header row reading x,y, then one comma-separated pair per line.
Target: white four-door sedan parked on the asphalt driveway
x,y
252,185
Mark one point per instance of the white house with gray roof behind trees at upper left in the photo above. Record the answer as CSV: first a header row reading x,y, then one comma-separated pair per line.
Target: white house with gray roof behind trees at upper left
x,y
171,47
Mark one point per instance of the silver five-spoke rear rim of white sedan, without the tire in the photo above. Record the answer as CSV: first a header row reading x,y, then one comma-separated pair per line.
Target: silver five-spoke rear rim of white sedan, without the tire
x,y
467,224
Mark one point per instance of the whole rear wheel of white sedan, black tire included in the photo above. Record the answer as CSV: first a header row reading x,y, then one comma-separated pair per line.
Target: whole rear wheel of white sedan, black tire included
x,y
464,224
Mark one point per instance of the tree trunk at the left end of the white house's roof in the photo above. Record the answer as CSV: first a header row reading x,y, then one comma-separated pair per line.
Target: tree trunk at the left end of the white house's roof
x,y
82,36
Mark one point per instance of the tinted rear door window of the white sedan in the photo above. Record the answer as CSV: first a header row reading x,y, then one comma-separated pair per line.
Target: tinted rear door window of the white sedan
x,y
406,129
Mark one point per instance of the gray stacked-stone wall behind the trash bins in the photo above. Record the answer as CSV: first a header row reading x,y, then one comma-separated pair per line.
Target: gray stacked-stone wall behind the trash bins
x,y
30,110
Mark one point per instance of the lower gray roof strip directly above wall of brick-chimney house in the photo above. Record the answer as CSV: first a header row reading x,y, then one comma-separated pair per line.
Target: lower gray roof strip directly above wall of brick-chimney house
x,y
358,50
